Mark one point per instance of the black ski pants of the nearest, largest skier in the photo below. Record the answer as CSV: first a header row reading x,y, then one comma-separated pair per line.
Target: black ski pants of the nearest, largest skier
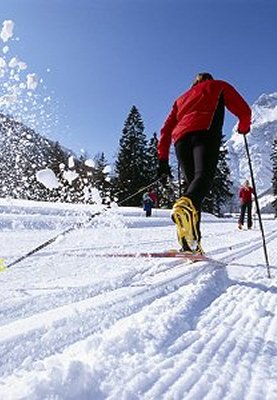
x,y
197,153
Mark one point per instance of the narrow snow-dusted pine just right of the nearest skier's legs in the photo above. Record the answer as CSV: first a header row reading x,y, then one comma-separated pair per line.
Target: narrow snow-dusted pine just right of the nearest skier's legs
x,y
220,191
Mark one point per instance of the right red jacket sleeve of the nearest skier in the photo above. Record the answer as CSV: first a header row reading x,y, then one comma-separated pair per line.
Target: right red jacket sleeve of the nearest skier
x,y
238,106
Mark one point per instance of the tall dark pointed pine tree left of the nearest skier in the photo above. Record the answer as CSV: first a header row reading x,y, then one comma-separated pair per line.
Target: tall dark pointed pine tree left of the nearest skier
x,y
131,164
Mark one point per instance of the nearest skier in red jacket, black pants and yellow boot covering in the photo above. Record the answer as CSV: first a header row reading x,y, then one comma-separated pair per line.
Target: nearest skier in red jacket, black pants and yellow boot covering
x,y
195,127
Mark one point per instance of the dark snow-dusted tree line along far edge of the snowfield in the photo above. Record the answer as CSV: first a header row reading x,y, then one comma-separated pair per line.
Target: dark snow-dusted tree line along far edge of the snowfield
x,y
135,168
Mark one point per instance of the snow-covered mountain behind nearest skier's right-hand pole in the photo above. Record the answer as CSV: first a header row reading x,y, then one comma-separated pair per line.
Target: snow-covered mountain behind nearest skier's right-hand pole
x,y
260,140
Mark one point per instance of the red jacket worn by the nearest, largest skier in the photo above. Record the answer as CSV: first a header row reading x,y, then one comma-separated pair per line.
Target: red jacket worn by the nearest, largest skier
x,y
194,111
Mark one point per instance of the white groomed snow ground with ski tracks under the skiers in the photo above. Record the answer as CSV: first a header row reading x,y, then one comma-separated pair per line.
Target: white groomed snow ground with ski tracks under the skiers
x,y
76,324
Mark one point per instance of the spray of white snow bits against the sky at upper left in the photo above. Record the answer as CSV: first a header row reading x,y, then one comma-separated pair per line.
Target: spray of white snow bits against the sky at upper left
x,y
23,92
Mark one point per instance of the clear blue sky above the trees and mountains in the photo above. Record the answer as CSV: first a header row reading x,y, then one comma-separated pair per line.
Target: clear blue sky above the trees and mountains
x,y
106,55
